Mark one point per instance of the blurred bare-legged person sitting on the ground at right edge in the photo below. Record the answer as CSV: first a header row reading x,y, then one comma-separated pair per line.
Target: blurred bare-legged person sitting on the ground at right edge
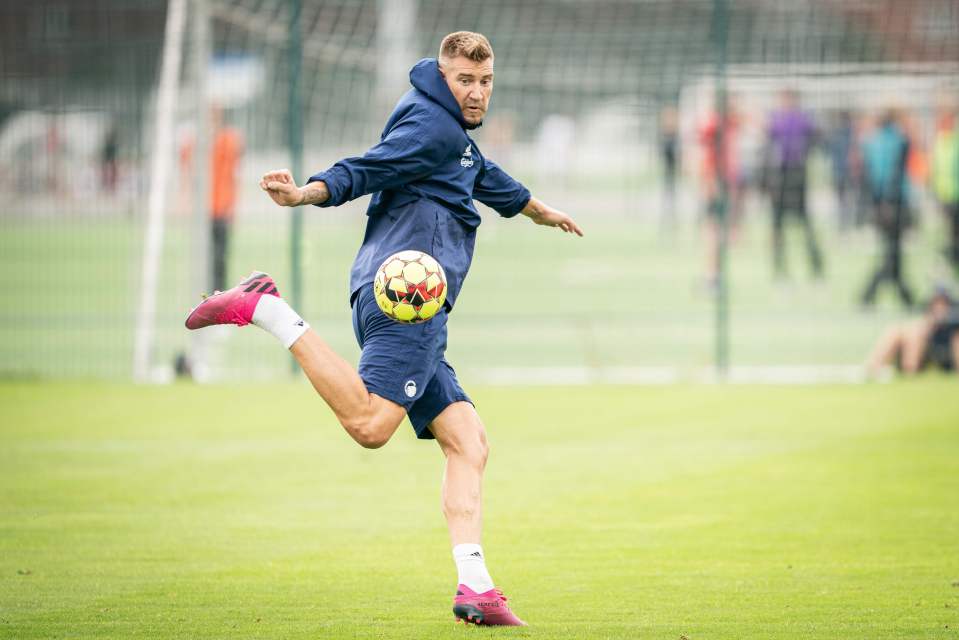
x,y
914,345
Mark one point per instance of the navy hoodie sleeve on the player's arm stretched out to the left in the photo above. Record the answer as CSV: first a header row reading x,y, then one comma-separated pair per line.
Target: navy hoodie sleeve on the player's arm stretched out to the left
x,y
409,152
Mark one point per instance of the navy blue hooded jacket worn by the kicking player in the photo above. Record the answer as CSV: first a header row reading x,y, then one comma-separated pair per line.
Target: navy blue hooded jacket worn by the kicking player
x,y
424,174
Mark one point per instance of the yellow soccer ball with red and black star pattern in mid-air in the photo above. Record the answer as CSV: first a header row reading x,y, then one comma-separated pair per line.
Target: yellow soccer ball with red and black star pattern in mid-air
x,y
410,287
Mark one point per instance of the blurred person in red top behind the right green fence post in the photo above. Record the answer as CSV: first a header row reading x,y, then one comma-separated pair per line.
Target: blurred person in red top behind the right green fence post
x,y
720,161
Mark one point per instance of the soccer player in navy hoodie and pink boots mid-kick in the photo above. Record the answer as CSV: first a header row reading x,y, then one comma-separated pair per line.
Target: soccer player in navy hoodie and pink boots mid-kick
x,y
423,175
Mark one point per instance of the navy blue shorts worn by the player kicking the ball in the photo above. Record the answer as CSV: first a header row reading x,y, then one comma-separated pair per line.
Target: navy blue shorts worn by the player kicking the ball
x,y
405,363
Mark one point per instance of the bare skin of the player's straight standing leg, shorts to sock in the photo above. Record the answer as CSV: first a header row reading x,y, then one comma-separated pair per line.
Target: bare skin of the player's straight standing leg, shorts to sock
x,y
462,437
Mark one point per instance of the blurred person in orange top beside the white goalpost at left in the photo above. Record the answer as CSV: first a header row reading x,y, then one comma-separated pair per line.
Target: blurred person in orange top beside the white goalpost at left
x,y
225,153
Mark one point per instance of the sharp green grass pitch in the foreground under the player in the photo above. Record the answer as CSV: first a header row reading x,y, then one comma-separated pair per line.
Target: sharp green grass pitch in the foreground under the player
x,y
702,512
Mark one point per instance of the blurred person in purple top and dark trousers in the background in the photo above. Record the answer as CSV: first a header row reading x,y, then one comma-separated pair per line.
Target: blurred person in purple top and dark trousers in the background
x,y
791,134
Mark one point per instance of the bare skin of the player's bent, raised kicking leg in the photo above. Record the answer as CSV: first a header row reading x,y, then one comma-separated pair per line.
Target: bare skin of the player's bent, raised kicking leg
x,y
369,419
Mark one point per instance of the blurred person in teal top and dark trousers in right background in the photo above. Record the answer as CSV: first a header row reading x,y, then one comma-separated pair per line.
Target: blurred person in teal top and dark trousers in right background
x,y
885,154
